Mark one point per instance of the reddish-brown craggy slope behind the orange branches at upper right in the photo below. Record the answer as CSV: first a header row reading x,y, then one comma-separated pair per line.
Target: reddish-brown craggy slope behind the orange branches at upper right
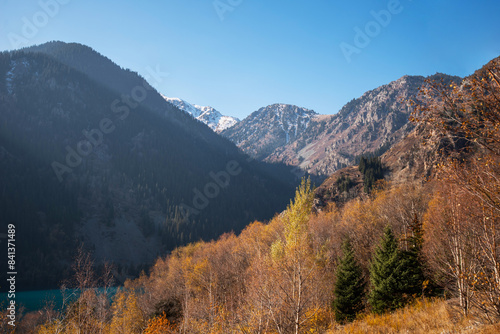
x,y
419,154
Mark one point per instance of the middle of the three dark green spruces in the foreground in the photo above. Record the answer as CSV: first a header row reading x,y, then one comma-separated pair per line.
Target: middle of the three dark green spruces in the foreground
x,y
384,294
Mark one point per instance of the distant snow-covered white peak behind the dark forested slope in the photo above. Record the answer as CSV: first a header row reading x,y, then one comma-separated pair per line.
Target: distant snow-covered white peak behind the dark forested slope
x,y
208,115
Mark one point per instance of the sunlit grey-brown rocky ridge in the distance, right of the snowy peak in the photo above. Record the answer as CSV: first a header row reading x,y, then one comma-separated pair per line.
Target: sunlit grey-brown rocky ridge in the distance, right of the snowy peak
x,y
370,124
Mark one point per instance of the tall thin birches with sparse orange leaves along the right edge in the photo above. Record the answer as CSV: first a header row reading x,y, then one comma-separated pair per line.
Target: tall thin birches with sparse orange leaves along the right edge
x,y
462,223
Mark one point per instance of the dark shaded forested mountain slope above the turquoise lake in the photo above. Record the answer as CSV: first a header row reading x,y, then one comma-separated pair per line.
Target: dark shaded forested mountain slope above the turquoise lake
x,y
83,159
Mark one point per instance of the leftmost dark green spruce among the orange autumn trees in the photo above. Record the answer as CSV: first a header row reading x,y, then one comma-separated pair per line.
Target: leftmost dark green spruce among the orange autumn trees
x,y
349,288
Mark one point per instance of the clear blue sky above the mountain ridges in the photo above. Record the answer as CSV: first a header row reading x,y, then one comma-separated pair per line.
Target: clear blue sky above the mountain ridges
x,y
273,51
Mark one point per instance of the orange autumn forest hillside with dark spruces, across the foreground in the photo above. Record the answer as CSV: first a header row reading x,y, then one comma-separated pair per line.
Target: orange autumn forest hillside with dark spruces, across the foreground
x,y
291,275
